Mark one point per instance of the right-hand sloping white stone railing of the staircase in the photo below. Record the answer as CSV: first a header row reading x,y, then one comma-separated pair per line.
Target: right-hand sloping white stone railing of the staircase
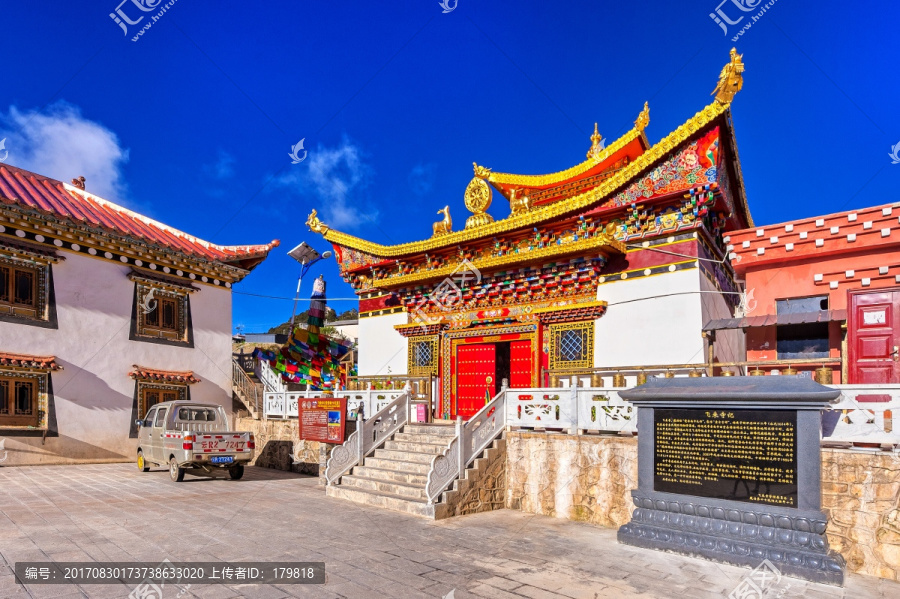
x,y
466,445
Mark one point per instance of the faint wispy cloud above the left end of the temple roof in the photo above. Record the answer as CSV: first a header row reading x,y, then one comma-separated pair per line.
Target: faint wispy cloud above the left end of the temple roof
x,y
337,177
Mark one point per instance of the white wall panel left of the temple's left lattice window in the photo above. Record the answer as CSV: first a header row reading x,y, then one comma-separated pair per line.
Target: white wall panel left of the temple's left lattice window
x,y
381,346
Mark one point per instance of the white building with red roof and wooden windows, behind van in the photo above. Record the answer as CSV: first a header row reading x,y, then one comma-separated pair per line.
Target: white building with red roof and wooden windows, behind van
x,y
103,312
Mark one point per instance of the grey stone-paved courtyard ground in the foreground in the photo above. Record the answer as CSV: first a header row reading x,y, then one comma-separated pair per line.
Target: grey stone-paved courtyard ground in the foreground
x,y
115,513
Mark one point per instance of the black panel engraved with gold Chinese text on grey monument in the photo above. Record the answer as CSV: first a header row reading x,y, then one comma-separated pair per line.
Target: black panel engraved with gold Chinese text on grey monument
x,y
741,455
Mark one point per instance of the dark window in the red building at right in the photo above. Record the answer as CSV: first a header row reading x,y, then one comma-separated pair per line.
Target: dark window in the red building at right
x,y
801,333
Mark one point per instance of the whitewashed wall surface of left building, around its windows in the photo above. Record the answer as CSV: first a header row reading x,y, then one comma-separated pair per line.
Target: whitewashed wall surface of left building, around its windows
x,y
93,394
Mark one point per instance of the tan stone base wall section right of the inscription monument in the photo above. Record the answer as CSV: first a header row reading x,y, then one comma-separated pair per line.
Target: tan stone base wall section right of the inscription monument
x,y
861,497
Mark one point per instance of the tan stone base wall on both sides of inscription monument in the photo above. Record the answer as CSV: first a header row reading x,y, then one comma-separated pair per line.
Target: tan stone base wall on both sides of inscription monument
x,y
589,478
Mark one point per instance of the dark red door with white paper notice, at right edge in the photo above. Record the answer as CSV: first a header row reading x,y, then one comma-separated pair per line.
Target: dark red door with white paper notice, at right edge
x,y
874,339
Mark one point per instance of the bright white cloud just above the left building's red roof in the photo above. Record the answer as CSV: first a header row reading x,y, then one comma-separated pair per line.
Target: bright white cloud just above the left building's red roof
x,y
59,142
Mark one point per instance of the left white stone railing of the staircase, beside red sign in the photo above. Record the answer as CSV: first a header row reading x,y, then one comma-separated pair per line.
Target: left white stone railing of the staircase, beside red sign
x,y
367,437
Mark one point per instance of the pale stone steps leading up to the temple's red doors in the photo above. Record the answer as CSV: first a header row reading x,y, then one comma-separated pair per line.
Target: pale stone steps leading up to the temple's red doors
x,y
394,477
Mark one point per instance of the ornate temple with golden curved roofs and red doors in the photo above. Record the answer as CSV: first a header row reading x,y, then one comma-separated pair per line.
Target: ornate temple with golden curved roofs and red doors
x,y
566,279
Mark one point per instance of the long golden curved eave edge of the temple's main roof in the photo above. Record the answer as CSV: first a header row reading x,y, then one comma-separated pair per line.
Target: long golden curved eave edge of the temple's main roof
x,y
550,211
